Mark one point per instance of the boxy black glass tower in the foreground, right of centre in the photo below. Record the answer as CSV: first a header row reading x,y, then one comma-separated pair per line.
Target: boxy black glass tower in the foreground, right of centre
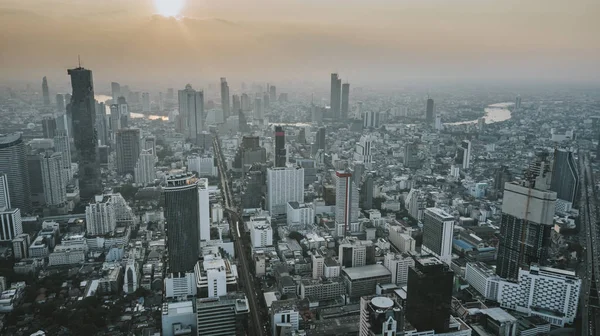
x,y
429,295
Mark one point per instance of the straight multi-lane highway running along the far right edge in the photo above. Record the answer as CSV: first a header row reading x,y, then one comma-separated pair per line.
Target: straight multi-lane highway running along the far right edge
x,y
590,273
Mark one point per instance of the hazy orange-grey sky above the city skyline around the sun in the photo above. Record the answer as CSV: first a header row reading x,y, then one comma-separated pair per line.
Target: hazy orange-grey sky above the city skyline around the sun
x,y
366,41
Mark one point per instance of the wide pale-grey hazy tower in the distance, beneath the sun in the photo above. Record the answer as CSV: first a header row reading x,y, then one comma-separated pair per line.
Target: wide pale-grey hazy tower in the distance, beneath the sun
x,y
191,112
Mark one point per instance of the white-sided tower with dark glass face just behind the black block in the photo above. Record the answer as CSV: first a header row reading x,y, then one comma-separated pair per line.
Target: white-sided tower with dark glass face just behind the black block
x,y
438,230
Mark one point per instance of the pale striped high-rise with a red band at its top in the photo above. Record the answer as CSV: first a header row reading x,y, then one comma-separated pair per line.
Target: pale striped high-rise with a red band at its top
x,y
346,201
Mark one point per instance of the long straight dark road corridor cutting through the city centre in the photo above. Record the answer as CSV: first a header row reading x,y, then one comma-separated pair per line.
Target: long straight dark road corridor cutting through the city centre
x,y
256,327
